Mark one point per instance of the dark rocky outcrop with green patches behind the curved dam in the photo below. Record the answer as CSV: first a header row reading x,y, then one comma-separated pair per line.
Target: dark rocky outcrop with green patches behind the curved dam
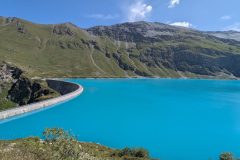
x,y
16,89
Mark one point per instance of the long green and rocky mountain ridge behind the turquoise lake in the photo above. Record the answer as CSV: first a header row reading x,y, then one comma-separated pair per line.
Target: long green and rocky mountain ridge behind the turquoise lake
x,y
122,50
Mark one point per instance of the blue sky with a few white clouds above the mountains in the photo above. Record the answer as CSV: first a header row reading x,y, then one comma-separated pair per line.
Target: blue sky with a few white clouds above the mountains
x,y
198,14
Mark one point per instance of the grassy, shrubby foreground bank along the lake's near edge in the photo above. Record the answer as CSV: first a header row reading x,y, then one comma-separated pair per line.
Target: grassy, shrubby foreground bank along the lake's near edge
x,y
61,145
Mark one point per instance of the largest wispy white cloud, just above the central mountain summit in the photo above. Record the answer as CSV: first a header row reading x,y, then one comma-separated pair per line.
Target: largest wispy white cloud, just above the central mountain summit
x,y
139,11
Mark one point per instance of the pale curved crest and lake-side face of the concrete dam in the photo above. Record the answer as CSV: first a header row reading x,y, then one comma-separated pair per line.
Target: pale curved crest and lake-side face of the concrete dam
x,y
43,104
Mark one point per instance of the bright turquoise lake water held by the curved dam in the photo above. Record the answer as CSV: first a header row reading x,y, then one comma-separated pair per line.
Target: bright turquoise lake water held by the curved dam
x,y
173,119
